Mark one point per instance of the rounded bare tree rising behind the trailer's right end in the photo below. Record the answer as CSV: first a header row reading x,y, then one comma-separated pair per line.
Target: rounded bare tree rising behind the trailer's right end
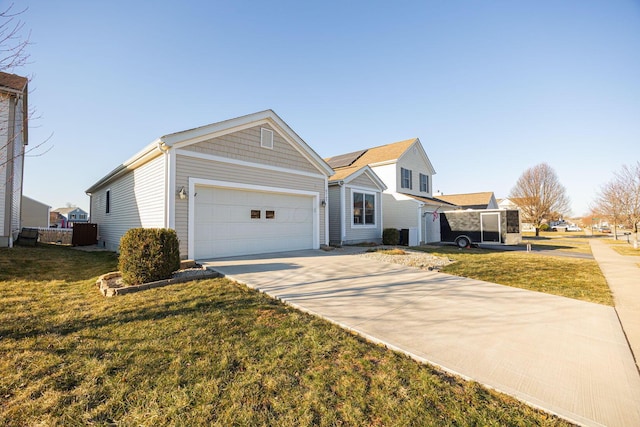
x,y
539,195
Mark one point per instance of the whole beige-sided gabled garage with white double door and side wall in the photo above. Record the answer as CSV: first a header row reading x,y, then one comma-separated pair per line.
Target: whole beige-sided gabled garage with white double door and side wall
x,y
242,186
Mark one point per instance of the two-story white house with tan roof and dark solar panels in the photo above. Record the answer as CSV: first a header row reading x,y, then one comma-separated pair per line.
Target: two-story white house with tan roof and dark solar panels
x,y
407,172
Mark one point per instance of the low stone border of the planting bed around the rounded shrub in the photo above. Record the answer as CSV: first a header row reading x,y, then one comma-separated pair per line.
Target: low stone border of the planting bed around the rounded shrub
x,y
111,284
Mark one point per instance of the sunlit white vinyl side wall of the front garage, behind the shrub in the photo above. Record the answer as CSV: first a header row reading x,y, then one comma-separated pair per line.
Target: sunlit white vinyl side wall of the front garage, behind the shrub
x,y
137,200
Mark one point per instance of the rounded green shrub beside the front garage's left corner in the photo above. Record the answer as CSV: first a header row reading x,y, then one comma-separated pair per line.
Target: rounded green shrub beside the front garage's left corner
x,y
148,254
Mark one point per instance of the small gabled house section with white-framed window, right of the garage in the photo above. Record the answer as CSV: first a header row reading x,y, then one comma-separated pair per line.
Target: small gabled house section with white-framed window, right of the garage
x,y
355,205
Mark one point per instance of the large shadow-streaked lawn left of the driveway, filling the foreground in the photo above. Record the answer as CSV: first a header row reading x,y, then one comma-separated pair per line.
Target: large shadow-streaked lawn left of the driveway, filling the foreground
x,y
210,352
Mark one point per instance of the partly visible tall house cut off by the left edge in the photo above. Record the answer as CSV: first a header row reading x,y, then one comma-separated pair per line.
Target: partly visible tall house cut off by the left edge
x,y
13,139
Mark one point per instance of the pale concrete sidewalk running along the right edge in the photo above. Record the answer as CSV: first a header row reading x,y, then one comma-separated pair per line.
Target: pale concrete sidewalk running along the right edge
x,y
623,276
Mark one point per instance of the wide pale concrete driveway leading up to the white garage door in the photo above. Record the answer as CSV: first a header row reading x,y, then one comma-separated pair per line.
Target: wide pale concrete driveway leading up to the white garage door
x,y
566,356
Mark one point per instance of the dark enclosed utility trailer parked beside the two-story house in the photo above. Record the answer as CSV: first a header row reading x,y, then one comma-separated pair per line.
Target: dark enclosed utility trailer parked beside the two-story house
x,y
473,226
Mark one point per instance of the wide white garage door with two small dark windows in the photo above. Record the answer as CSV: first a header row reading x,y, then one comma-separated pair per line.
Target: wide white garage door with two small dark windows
x,y
231,222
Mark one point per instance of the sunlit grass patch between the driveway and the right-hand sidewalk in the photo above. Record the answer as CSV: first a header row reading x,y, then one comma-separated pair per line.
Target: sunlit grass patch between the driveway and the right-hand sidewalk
x,y
568,277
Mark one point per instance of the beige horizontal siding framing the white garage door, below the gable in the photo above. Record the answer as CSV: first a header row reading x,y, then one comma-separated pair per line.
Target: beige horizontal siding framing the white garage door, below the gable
x,y
195,167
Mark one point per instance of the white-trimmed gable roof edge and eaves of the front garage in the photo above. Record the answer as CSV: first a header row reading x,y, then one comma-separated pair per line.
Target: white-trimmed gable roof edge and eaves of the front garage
x,y
213,130
